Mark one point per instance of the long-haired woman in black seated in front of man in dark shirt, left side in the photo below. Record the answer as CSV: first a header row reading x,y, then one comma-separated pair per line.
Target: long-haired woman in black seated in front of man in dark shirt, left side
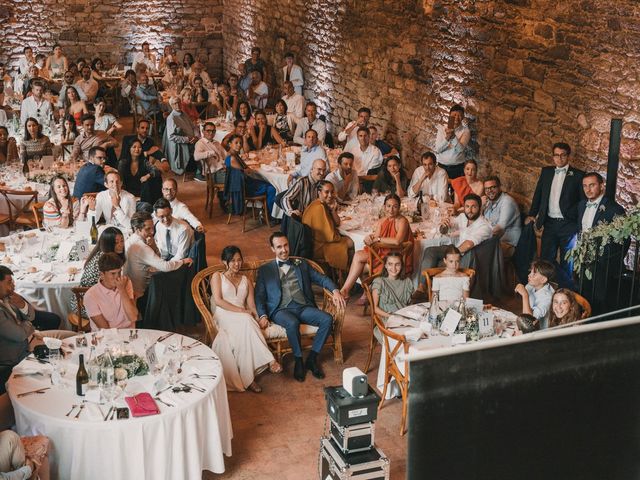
x,y
139,176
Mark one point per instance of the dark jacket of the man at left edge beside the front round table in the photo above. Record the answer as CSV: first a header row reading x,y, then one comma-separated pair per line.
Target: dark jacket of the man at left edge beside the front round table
x,y
14,334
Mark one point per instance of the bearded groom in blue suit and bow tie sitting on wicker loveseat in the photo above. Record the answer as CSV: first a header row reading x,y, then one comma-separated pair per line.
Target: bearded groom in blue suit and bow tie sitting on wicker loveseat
x,y
283,294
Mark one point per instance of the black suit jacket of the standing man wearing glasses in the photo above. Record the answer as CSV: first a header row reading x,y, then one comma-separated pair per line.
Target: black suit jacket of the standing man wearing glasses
x,y
570,195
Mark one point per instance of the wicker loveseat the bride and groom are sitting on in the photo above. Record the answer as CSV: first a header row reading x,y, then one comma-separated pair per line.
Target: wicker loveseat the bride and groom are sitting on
x,y
275,335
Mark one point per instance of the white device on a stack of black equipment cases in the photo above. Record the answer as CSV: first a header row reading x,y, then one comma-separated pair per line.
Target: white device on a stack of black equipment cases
x,y
349,450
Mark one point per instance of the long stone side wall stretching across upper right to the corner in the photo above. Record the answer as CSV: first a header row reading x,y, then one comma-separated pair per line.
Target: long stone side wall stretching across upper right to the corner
x,y
529,72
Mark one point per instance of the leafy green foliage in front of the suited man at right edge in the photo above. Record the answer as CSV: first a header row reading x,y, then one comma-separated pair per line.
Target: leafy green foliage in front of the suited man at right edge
x,y
592,243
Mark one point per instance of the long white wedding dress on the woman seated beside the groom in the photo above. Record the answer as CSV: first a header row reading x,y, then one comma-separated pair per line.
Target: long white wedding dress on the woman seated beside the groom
x,y
239,344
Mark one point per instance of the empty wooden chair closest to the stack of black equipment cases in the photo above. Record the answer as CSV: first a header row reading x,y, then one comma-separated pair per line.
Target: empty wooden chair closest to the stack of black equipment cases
x,y
392,344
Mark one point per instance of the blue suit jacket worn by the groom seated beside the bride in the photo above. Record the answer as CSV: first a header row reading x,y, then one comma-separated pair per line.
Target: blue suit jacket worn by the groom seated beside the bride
x,y
269,287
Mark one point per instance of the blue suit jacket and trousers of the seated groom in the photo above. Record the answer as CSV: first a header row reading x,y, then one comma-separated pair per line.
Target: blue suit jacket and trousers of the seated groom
x,y
268,295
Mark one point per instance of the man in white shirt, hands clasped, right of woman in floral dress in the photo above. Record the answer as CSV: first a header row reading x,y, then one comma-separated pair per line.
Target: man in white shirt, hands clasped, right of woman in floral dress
x,y
117,206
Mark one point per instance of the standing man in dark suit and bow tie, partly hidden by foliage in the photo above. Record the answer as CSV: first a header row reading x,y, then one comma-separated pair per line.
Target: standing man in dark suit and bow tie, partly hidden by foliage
x,y
594,210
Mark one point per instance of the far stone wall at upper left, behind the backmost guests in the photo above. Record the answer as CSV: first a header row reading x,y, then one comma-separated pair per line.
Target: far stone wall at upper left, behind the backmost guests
x,y
112,29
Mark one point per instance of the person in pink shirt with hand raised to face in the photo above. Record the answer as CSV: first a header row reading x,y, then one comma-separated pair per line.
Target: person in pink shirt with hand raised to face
x,y
110,302
